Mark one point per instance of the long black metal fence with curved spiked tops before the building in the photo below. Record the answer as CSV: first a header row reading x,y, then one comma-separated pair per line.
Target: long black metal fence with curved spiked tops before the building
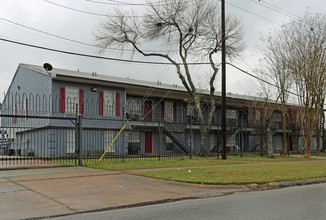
x,y
37,130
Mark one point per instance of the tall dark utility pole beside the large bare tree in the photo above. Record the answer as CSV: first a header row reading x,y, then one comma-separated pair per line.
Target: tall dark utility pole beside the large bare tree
x,y
223,82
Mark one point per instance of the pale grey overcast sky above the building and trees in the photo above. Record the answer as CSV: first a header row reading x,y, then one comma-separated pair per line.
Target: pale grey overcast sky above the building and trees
x,y
258,19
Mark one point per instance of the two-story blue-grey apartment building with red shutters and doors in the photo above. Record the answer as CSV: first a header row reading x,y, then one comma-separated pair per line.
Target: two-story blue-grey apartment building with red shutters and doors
x,y
159,118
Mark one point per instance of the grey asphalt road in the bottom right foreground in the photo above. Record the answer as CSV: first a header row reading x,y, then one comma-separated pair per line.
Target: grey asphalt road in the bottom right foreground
x,y
300,202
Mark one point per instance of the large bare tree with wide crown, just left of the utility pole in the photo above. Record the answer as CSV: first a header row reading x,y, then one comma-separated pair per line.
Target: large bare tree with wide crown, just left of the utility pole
x,y
192,28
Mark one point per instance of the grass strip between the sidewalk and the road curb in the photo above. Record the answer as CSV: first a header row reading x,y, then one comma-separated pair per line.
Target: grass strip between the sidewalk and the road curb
x,y
261,173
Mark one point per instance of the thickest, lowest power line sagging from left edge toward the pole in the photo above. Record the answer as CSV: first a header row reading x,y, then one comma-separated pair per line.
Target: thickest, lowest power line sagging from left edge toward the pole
x,y
93,56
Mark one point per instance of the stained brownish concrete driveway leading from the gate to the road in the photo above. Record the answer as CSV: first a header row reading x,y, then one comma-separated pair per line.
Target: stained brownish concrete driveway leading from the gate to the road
x,y
49,192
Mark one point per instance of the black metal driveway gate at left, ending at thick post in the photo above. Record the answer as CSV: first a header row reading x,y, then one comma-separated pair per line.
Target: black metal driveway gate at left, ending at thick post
x,y
28,141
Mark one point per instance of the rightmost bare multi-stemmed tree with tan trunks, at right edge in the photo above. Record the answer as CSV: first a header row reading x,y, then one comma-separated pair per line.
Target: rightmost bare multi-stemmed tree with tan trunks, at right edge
x,y
302,47
